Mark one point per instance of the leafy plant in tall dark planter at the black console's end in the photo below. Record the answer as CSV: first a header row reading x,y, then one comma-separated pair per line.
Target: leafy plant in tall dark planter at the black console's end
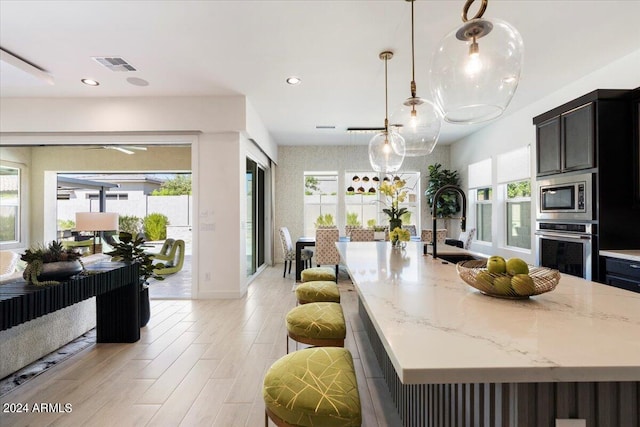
x,y
130,250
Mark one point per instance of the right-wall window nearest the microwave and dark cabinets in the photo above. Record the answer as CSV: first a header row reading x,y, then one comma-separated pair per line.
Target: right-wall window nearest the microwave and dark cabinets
x,y
518,203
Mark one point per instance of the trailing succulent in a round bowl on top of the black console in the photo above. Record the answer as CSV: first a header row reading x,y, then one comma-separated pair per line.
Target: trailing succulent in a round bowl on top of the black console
x,y
48,264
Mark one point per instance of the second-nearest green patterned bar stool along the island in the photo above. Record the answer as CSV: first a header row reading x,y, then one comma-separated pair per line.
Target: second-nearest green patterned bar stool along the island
x,y
319,323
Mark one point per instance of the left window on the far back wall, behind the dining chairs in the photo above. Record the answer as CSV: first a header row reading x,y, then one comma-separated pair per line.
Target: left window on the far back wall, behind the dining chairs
x,y
320,200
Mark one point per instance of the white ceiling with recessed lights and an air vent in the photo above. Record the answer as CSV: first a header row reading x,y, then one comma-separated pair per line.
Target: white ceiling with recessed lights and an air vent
x,y
210,48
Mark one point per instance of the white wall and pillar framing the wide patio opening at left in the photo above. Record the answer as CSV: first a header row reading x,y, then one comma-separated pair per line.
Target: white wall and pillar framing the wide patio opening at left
x,y
212,125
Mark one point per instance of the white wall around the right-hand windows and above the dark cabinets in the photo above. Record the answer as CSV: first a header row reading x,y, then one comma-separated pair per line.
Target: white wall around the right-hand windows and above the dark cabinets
x,y
516,130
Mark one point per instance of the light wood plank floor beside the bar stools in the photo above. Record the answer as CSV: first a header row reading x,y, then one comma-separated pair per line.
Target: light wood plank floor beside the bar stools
x,y
198,363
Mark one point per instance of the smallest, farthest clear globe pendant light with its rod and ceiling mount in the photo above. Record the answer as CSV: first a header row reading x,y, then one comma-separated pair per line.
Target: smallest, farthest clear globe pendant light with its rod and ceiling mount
x,y
387,148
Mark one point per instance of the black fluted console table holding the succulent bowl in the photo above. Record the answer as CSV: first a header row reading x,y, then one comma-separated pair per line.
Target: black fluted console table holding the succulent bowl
x,y
115,286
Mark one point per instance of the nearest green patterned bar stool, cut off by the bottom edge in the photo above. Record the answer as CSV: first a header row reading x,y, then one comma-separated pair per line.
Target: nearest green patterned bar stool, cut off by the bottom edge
x,y
313,387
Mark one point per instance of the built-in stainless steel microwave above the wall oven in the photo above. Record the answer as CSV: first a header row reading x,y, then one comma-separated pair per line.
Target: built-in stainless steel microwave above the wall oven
x,y
566,198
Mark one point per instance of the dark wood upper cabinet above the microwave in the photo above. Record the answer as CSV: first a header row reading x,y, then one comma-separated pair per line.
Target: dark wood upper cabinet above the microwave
x,y
567,137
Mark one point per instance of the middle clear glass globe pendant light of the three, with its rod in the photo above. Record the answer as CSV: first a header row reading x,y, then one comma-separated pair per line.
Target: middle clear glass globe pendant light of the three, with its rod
x,y
419,118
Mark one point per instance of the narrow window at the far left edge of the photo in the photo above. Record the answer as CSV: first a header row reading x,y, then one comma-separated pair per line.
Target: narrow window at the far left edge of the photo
x,y
9,204
